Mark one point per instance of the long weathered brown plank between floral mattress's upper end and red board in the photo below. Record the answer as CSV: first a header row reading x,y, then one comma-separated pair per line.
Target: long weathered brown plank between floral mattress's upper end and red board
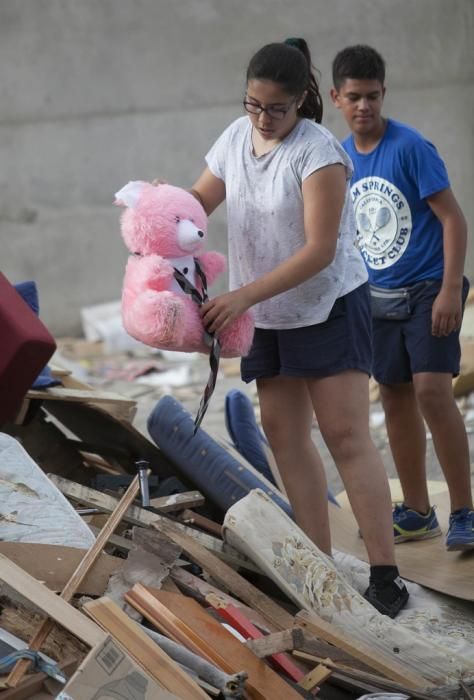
x,y
225,575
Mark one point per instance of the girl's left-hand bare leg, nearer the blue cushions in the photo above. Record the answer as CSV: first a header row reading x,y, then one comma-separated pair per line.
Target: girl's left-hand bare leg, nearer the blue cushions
x,y
287,416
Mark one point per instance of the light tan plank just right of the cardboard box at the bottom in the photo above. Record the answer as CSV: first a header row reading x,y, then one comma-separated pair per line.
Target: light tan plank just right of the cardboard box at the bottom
x,y
145,652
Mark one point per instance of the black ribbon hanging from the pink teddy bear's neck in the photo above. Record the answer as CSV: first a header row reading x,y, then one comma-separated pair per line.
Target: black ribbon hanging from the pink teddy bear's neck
x,y
200,297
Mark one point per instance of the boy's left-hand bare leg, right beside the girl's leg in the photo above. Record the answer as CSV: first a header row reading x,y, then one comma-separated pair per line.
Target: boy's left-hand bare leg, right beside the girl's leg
x,y
407,439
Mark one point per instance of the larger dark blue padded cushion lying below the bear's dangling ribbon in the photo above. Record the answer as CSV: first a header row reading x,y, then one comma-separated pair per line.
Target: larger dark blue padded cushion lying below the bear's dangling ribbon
x,y
215,473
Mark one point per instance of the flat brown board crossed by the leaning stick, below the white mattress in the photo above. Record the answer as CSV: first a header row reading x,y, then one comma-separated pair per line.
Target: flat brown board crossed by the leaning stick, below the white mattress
x,y
54,564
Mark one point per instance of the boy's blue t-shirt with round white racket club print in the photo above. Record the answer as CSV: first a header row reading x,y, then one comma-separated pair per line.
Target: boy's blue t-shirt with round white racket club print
x,y
400,238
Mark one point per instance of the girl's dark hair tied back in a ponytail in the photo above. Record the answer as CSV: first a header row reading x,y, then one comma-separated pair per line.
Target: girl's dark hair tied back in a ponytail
x,y
289,64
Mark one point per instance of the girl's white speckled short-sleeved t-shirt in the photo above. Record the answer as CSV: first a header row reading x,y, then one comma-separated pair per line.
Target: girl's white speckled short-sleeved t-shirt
x,y
265,219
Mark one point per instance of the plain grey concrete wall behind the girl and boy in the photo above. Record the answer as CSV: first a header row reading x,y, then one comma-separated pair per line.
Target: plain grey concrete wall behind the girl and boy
x,y
98,92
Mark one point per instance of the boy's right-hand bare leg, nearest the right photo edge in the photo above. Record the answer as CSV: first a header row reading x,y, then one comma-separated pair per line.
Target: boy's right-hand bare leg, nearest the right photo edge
x,y
435,397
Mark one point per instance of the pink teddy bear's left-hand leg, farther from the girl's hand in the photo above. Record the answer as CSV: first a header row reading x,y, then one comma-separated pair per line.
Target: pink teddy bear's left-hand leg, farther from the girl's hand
x,y
156,318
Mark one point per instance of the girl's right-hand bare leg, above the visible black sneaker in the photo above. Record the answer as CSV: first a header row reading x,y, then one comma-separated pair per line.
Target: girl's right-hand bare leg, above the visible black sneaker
x,y
341,403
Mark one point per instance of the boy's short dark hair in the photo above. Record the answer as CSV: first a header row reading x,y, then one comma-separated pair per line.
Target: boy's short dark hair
x,y
358,62
